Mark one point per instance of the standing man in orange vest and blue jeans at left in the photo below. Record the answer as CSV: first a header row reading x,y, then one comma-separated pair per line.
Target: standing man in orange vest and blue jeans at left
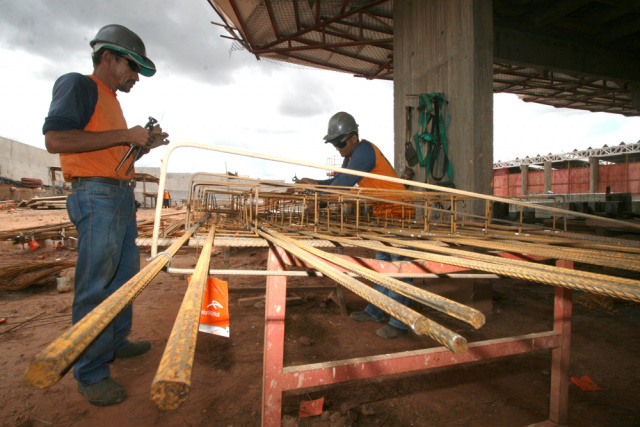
x,y
85,125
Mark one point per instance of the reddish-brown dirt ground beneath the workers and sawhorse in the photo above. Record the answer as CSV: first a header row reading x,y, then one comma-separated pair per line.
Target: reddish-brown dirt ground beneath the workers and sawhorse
x,y
227,374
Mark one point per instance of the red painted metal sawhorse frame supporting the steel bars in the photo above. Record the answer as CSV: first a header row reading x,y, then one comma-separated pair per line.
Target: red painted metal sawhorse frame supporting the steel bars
x,y
278,378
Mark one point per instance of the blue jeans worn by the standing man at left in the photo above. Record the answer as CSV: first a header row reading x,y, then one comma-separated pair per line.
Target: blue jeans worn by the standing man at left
x,y
105,219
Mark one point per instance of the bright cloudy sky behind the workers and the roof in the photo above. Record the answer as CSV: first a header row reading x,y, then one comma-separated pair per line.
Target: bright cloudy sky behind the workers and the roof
x,y
208,91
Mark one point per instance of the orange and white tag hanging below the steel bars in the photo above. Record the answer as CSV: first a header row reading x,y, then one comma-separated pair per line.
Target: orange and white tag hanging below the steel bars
x,y
214,317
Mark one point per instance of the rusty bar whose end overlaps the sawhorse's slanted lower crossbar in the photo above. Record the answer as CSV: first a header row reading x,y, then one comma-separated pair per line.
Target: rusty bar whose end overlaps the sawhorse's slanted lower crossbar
x,y
419,323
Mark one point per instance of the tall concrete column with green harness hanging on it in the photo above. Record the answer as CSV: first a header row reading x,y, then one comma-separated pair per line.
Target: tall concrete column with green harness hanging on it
x,y
447,46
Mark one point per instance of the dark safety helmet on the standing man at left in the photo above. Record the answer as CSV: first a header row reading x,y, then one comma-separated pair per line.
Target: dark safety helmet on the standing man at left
x,y
121,39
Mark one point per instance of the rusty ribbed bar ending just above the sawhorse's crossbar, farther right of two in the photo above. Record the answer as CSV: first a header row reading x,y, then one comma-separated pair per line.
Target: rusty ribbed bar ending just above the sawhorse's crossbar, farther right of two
x,y
437,302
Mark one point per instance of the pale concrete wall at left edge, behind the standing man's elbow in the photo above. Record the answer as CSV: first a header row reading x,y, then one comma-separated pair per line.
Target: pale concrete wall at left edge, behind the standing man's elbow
x,y
18,160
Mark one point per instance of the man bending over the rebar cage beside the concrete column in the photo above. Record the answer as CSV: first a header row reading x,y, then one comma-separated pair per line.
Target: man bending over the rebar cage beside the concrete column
x,y
363,156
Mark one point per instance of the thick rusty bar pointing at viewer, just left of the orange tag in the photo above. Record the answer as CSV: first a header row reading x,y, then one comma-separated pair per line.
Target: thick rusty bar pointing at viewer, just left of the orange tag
x,y
172,383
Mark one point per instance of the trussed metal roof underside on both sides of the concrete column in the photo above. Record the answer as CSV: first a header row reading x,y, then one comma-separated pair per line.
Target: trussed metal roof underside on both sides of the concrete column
x,y
356,37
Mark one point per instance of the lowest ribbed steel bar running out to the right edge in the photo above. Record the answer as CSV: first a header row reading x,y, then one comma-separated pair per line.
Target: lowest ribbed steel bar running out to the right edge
x,y
596,283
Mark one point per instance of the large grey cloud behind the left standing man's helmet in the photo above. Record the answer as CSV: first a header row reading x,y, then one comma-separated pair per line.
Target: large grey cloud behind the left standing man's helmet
x,y
179,39
